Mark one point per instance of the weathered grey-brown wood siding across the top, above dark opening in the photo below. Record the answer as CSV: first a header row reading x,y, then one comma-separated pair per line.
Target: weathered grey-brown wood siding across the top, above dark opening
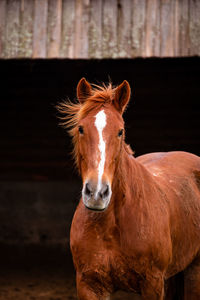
x,y
99,28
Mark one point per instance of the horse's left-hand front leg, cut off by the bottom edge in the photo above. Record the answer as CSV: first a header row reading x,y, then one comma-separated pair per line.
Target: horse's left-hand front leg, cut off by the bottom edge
x,y
91,291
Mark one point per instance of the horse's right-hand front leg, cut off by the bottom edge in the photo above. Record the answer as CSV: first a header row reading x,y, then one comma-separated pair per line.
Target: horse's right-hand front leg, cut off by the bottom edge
x,y
152,288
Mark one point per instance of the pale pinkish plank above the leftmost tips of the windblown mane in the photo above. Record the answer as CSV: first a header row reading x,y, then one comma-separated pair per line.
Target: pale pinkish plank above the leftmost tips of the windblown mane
x,y
54,27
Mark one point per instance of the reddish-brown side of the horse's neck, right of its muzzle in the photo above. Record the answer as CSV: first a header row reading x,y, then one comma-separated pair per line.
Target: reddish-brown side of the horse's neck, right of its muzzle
x,y
135,196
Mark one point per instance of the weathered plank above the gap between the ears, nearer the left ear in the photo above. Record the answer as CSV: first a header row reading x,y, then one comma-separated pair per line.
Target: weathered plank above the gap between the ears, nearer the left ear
x,y
95,29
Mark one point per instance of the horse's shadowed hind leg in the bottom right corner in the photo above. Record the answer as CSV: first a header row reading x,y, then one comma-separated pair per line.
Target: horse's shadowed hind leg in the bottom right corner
x,y
192,281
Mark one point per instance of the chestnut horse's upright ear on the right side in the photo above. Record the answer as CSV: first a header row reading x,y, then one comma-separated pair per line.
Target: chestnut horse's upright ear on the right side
x,y
122,96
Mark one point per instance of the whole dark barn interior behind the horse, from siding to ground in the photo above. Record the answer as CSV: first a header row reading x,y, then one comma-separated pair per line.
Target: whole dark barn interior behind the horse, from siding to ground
x,y
39,187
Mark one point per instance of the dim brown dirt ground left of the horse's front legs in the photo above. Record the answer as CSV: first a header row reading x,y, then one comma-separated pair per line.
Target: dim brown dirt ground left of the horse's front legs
x,y
37,284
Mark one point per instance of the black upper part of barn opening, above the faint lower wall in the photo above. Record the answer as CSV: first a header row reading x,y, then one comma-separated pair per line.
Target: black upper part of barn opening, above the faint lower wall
x,y
163,113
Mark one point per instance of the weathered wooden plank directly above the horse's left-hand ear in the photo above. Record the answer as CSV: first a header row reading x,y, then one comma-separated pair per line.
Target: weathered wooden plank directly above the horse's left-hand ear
x,y
81,29
